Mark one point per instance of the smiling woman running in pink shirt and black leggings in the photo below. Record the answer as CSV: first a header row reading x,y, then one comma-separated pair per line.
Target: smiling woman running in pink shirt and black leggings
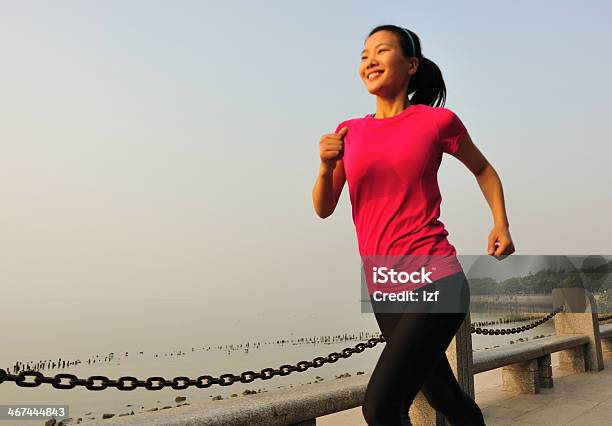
x,y
390,160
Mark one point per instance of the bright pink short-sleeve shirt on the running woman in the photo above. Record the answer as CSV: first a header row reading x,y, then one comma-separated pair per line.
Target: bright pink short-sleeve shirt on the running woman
x,y
391,167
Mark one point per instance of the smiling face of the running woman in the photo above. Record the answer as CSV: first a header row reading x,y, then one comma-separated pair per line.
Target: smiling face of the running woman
x,y
383,53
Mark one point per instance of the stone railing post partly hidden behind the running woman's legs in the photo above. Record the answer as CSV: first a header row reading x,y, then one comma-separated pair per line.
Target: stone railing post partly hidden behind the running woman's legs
x,y
460,358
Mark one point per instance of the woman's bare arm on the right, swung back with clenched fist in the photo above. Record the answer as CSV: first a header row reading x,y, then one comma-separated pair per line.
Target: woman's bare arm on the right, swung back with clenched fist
x,y
491,187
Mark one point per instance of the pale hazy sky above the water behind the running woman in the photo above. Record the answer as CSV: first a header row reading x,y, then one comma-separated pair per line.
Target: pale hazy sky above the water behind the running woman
x,y
168,150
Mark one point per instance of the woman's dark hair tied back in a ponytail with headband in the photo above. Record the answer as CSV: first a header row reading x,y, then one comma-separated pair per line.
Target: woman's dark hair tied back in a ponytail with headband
x,y
427,84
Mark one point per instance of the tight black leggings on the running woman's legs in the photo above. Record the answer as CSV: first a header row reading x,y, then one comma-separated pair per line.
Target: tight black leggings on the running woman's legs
x,y
413,359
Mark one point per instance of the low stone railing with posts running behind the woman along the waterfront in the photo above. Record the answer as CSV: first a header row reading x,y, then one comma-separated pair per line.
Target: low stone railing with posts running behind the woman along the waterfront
x,y
581,342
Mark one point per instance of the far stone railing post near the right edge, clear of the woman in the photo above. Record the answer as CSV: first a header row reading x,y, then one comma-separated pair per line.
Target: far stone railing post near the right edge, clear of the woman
x,y
579,317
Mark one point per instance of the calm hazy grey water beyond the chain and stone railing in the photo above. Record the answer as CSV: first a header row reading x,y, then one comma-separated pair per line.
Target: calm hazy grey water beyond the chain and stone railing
x,y
186,344
